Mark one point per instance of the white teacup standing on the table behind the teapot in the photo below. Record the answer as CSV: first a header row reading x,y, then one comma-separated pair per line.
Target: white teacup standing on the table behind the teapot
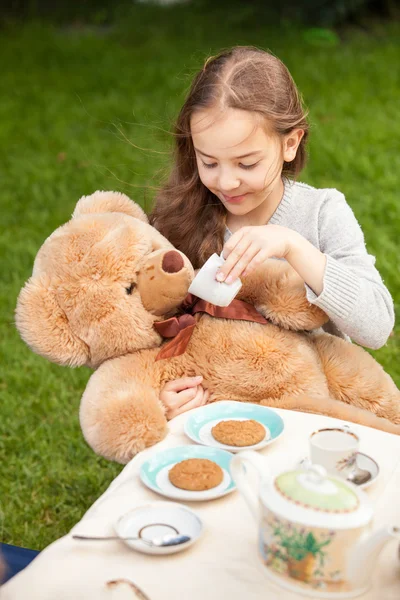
x,y
335,449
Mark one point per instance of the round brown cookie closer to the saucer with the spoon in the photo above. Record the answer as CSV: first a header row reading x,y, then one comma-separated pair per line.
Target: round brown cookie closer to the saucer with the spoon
x,y
196,474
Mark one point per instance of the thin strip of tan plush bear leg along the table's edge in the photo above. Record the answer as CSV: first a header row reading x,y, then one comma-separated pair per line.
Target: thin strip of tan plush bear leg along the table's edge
x,y
332,408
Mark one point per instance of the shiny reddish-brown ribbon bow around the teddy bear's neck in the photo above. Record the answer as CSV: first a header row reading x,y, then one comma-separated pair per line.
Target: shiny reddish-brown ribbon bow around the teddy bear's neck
x,y
181,328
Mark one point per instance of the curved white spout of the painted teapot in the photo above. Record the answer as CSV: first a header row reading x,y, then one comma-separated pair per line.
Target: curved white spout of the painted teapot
x,y
366,553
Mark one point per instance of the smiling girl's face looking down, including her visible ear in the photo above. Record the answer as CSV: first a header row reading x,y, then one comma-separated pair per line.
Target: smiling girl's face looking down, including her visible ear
x,y
237,159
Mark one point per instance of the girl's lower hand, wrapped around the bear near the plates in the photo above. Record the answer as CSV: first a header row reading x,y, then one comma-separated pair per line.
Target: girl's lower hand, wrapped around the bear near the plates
x,y
181,395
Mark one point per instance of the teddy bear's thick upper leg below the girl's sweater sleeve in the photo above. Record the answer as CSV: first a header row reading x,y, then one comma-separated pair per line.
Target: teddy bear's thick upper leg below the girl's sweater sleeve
x,y
356,378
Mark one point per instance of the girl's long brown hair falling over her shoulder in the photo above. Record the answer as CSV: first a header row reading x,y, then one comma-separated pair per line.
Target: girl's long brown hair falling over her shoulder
x,y
186,212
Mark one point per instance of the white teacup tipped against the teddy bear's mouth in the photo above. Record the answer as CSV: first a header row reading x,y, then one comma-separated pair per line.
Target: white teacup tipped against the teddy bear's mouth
x,y
205,286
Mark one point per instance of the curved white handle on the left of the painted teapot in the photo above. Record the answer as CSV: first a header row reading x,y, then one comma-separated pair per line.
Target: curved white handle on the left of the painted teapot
x,y
241,477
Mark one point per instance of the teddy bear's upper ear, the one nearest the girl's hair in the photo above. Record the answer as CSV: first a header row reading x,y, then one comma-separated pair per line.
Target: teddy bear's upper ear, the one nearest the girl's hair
x,y
101,202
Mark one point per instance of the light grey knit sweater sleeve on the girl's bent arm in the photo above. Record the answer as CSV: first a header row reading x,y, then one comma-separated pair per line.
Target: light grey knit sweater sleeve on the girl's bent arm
x,y
354,295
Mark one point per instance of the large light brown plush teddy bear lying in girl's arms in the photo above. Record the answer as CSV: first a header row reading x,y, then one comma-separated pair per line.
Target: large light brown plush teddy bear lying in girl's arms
x,y
100,283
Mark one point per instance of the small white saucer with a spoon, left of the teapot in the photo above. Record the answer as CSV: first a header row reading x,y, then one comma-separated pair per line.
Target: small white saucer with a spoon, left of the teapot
x,y
155,520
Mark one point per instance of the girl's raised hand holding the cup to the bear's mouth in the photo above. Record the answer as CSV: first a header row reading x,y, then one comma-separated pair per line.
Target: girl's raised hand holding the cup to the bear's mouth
x,y
249,247
